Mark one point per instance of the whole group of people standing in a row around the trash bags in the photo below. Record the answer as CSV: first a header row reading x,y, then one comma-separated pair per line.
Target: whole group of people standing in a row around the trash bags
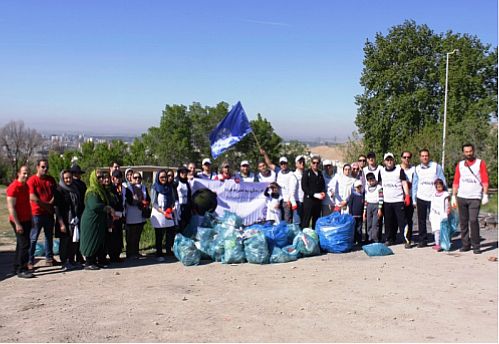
x,y
89,221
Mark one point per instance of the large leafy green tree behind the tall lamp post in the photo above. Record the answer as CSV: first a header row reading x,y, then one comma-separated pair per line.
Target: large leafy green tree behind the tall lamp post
x,y
404,78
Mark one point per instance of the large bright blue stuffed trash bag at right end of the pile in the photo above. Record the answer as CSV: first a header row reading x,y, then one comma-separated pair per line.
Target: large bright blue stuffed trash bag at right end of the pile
x,y
336,232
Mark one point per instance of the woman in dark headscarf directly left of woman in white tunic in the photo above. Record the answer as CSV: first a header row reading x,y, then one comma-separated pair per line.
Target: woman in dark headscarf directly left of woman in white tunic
x,y
137,205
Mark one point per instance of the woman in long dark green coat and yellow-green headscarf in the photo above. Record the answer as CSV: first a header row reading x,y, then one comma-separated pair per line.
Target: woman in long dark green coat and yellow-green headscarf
x,y
94,221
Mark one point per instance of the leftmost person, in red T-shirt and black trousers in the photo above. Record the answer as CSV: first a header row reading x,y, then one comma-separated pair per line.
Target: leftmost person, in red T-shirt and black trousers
x,y
20,219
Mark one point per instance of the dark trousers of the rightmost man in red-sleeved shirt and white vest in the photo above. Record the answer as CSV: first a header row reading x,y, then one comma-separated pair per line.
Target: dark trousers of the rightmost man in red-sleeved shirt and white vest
x,y
468,221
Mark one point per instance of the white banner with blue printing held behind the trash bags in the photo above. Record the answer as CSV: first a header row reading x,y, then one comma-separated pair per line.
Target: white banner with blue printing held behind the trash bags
x,y
245,199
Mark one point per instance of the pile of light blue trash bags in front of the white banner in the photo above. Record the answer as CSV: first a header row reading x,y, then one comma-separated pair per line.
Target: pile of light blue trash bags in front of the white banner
x,y
225,240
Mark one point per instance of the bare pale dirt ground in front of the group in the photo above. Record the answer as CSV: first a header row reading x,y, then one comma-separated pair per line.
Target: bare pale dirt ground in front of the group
x,y
416,295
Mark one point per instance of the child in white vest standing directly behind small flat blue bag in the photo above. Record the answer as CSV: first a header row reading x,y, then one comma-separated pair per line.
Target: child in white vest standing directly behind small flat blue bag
x,y
373,206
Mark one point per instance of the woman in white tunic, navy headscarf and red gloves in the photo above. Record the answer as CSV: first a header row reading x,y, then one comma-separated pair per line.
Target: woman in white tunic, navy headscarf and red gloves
x,y
163,207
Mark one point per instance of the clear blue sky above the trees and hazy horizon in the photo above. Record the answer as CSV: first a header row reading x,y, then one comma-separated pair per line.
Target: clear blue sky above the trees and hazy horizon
x,y
112,66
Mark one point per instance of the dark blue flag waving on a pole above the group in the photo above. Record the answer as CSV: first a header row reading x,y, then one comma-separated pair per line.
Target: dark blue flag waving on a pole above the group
x,y
229,131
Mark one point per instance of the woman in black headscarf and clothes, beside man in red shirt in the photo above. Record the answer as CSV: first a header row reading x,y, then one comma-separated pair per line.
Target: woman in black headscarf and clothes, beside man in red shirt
x,y
68,210
